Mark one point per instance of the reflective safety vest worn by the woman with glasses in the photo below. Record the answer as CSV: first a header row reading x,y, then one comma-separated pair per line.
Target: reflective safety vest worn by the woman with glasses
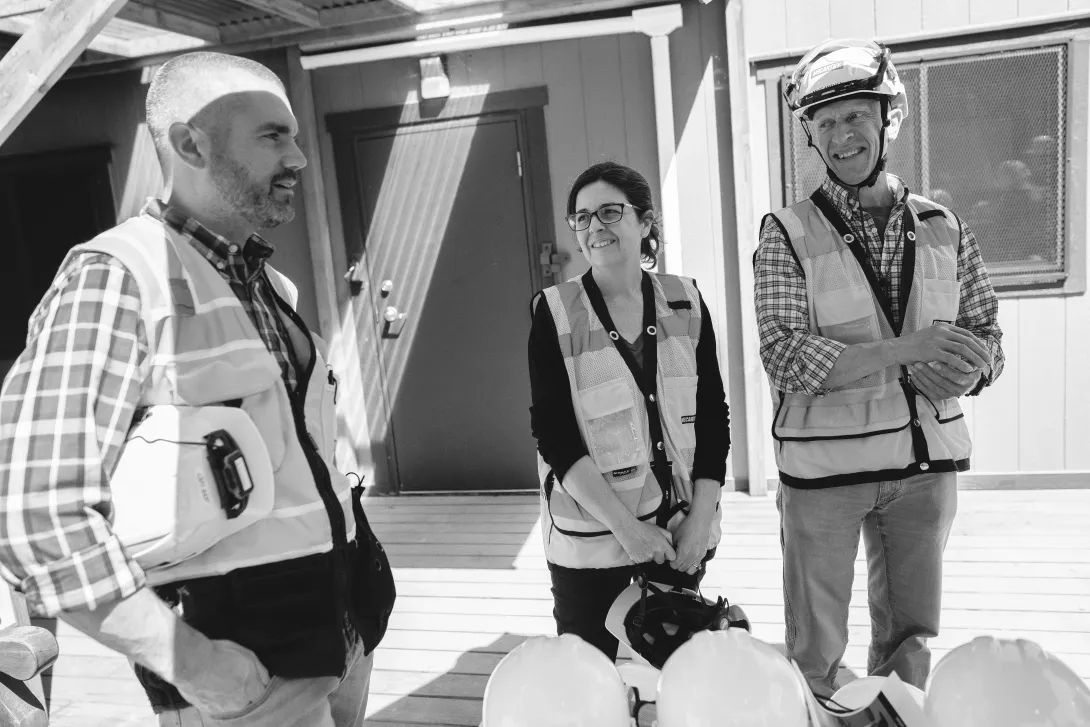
x,y
616,416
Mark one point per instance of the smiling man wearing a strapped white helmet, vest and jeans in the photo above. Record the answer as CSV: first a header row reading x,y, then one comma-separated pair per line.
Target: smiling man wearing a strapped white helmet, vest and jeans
x,y
876,316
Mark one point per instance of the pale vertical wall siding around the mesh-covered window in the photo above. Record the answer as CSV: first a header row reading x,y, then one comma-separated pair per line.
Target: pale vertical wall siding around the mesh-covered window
x,y
1033,420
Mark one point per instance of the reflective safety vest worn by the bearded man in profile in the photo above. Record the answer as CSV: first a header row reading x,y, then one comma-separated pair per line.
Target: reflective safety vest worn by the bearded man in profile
x,y
204,350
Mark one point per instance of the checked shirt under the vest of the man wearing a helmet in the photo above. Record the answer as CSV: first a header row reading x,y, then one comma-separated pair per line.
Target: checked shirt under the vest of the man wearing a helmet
x,y
800,361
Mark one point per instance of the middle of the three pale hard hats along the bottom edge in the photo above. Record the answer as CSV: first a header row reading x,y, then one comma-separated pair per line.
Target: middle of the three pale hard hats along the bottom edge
x,y
731,680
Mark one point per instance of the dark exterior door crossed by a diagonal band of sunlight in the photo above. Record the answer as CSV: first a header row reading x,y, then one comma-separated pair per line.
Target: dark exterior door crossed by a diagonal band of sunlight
x,y
450,274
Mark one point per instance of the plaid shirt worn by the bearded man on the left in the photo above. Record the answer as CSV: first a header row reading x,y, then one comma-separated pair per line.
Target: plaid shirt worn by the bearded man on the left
x,y
67,406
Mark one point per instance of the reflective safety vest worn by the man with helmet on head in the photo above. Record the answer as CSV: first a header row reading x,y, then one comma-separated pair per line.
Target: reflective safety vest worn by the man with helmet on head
x,y
876,429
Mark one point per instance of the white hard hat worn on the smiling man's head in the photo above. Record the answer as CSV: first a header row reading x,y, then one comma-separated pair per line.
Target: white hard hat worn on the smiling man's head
x,y
839,69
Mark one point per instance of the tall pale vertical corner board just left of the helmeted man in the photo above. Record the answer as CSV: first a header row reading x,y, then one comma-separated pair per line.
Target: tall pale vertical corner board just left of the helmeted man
x,y
756,390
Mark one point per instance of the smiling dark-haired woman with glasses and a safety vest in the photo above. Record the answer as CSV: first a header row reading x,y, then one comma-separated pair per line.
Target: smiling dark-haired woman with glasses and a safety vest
x,y
628,410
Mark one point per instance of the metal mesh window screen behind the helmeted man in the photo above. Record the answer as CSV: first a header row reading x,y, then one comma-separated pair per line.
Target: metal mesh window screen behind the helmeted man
x,y
985,136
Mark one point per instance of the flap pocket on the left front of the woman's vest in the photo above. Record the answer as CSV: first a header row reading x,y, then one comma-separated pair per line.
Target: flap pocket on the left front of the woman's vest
x,y
611,426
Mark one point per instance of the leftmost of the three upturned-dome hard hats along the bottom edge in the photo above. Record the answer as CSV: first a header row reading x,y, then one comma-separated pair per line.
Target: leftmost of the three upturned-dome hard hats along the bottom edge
x,y
555,682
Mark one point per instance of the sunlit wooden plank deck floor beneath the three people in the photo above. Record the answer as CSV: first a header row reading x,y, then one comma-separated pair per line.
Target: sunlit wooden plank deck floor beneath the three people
x,y
474,585
